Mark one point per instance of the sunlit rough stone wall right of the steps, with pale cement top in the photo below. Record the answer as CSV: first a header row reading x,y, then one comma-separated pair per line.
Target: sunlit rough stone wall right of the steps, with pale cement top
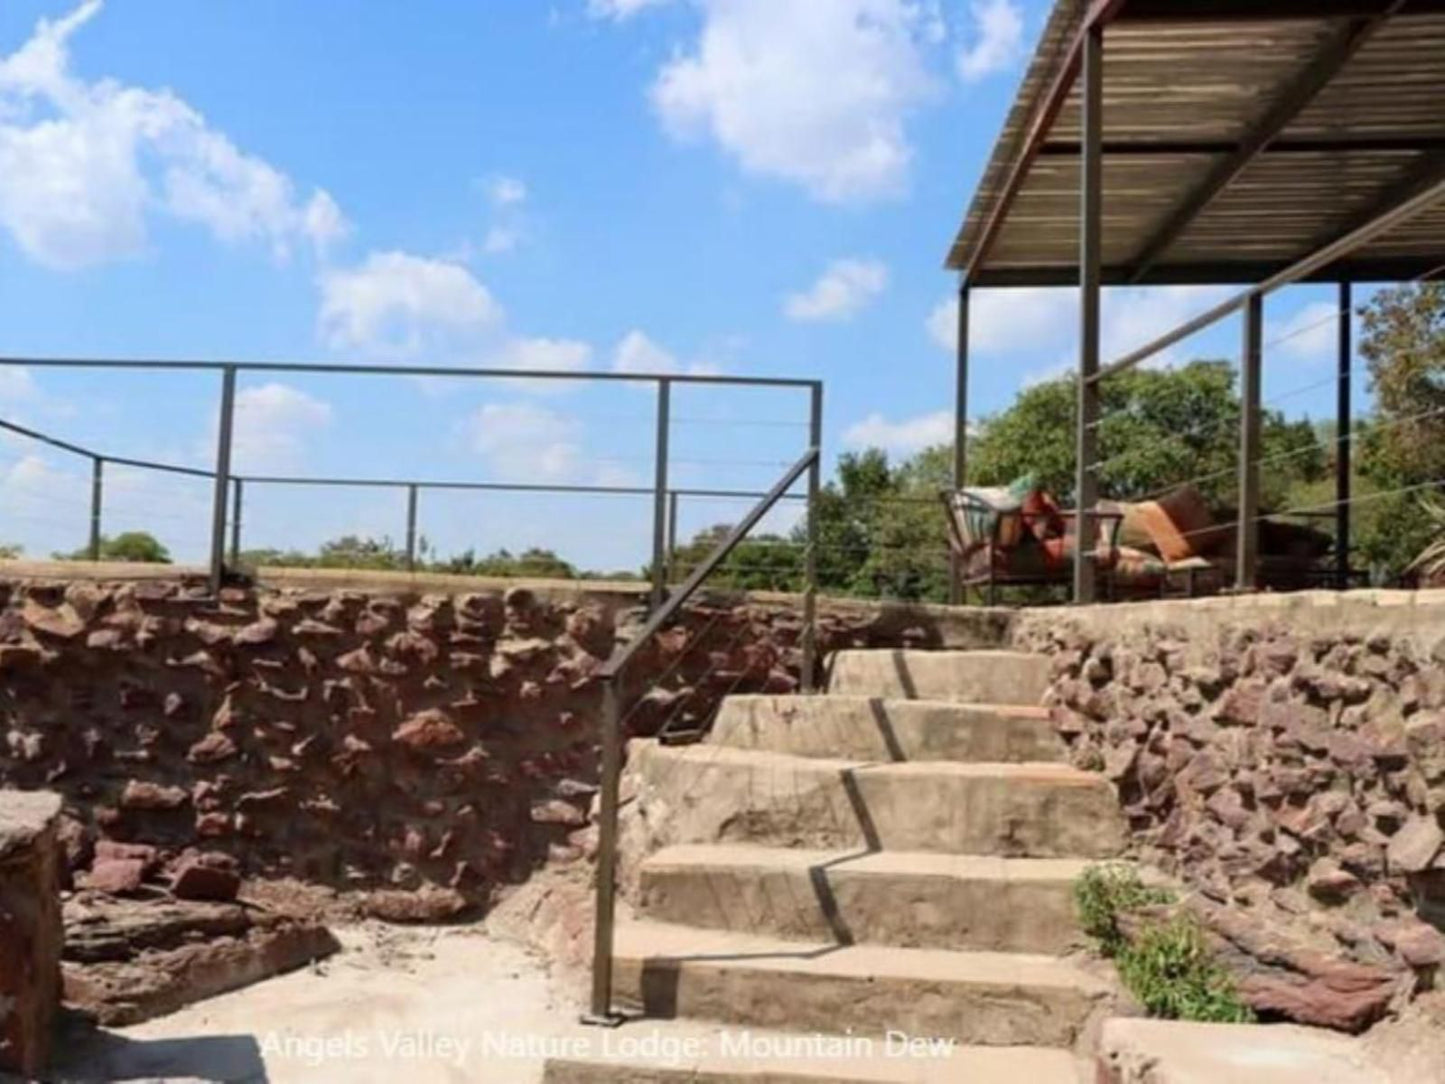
x,y
1285,758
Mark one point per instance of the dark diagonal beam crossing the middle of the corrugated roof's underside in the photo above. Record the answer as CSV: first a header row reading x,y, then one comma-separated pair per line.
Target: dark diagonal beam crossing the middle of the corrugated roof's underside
x,y
1291,100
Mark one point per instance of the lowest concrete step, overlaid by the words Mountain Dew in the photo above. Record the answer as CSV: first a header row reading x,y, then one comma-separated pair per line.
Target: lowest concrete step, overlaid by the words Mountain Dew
x,y
681,1051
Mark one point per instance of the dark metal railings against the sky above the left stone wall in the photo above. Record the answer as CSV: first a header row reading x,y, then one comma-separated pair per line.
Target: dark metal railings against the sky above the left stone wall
x,y
230,488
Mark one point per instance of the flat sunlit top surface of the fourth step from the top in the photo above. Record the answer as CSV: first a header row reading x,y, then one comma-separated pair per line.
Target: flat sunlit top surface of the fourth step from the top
x,y
866,864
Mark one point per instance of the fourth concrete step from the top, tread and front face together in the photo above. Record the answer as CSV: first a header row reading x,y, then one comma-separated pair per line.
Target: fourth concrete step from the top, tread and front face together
x,y
889,898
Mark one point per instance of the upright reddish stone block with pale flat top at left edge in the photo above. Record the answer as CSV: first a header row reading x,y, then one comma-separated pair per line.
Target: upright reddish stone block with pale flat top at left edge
x,y
30,930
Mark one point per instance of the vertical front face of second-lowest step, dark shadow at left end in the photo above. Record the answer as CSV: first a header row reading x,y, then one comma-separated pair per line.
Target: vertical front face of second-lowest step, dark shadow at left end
x,y
988,1015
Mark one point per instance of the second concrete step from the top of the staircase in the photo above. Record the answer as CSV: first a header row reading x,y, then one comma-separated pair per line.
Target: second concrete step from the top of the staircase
x,y
872,729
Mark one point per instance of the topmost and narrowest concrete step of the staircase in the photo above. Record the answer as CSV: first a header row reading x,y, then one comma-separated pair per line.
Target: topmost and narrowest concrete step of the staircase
x,y
992,677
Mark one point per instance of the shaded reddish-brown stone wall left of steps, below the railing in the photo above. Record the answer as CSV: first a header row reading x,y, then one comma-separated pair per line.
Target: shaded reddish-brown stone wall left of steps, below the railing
x,y
361,739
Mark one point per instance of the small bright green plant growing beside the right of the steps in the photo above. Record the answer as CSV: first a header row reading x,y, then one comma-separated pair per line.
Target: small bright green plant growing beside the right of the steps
x,y
1170,969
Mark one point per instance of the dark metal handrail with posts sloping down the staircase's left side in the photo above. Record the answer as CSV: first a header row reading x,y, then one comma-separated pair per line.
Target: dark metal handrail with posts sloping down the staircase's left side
x,y
611,676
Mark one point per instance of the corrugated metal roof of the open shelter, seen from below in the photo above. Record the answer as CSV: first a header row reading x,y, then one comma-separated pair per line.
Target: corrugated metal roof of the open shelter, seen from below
x,y
1180,96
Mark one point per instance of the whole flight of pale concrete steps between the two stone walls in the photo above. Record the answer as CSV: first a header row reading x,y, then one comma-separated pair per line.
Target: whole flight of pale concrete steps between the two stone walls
x,y
895,856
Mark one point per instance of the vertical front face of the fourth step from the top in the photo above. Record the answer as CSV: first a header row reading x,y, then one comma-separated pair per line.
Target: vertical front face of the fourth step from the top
x,y
868,908
